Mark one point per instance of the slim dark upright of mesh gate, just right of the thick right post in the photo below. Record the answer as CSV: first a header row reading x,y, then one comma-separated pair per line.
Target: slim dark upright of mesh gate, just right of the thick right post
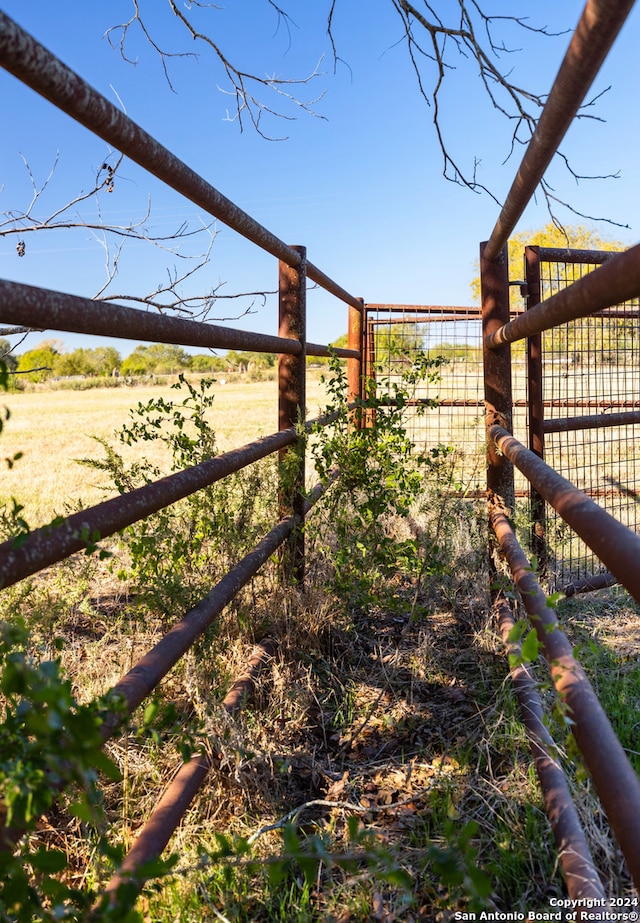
x,y
536,409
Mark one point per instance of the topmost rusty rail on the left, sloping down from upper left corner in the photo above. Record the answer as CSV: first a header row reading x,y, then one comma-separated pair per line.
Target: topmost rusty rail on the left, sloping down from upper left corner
x,y
38,68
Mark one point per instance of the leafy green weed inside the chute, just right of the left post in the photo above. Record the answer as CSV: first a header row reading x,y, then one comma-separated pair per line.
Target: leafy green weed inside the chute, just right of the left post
x,y
380,479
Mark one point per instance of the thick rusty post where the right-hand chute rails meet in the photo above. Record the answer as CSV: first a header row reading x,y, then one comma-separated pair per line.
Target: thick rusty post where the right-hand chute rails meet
x,y
494,282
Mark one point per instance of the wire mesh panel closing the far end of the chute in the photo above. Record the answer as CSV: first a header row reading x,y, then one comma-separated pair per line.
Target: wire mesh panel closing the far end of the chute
x,y
445,415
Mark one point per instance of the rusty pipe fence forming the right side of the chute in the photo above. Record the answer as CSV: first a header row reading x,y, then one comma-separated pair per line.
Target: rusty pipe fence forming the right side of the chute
x,y
602,290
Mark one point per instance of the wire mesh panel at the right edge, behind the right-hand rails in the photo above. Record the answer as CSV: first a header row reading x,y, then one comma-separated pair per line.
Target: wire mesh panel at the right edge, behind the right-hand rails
x,y
591,386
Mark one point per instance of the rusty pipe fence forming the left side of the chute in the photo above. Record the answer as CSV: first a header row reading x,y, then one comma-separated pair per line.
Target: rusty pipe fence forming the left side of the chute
x,y
31,307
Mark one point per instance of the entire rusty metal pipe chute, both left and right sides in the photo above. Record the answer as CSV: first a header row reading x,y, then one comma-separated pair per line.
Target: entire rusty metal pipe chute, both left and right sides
x,y
617,280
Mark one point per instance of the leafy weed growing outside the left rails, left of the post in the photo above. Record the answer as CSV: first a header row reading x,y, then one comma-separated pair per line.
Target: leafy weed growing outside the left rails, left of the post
x,y
175,556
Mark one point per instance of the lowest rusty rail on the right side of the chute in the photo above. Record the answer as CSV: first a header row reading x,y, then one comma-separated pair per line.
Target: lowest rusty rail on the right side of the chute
x,y
577,864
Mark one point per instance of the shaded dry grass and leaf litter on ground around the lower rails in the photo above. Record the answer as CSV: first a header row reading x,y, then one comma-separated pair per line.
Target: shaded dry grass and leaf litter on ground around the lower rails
x,y
401,716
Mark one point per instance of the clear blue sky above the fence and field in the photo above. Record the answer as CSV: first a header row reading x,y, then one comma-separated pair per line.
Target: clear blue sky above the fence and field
x,y
360,187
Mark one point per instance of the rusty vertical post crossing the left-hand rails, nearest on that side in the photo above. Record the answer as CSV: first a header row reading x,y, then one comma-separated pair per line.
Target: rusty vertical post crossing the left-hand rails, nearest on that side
x,y
292,377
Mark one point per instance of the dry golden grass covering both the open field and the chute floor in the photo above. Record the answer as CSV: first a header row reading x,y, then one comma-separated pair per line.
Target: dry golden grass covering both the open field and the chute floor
x,y
396,711
